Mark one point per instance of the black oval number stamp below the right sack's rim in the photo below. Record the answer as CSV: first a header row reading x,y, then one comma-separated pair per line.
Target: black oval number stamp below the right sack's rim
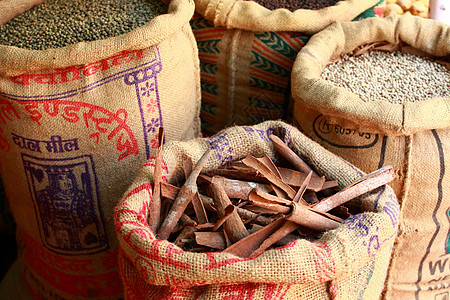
x,y
341,137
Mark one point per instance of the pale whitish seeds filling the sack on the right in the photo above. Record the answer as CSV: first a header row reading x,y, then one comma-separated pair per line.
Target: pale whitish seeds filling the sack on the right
x,y
391,76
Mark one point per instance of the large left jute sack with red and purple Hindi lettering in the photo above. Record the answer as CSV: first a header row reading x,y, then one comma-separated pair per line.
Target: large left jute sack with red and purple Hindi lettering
x,y
76,125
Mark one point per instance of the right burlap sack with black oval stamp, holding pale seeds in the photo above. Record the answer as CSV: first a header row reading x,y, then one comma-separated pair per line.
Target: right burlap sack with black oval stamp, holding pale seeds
x,y
413,137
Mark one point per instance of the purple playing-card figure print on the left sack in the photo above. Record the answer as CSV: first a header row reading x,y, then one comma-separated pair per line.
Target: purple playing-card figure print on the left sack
x,y
66,203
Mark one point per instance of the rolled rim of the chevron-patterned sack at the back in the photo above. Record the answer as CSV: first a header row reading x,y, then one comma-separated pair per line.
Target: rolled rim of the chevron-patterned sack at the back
x,y
251,16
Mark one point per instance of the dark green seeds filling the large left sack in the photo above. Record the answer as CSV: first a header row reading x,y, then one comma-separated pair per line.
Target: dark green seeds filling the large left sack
x,y
59,23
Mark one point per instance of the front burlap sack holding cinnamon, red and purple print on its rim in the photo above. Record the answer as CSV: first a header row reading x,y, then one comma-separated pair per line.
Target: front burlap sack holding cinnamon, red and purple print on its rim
x,y
347,263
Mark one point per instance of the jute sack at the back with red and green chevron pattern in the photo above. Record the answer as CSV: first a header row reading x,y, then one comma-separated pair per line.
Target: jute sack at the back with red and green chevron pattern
x,y
247,51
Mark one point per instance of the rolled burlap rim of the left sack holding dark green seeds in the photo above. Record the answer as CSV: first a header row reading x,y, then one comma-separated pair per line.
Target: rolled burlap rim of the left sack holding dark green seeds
x,y
16,61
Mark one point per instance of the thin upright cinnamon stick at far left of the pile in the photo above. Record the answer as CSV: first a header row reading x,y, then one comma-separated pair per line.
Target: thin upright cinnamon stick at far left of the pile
x,y
154,218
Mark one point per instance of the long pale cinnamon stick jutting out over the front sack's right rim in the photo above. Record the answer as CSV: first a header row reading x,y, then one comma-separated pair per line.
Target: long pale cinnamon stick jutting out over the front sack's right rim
x,y
367,183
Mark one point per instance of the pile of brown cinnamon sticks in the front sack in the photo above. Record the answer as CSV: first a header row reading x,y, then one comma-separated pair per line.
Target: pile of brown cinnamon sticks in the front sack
x,y
251,205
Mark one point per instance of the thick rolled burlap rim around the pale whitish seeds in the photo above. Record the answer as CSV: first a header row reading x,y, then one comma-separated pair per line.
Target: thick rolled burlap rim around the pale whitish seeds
x,y
381,116
